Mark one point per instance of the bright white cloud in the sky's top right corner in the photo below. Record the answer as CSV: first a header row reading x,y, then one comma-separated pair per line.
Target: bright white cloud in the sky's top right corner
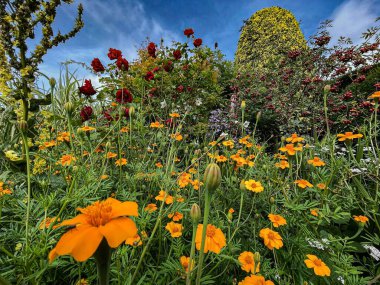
x,y
352,18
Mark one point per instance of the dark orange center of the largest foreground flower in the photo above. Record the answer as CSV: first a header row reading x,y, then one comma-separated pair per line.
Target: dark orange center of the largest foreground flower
x,y
98,214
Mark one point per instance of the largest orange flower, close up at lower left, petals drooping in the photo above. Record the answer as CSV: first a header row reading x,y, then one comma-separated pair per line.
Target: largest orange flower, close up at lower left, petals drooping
x,y
107,219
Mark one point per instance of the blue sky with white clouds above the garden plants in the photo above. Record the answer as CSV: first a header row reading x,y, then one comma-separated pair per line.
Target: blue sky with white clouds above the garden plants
x,y
125,24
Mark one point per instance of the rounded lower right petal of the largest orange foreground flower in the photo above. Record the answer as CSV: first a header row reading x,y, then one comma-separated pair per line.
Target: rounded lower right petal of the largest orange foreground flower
x,y
118,230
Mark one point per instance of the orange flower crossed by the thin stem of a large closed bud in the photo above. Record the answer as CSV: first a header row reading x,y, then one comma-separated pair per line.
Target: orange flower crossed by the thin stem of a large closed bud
x,y
215,239
